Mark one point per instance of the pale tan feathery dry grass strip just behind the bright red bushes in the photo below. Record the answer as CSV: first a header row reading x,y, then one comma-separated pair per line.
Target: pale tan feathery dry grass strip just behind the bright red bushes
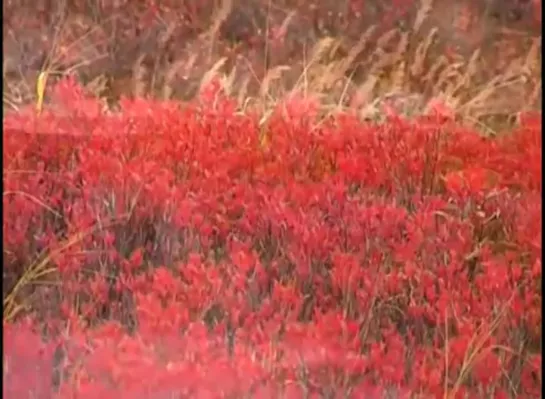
x,y
405,67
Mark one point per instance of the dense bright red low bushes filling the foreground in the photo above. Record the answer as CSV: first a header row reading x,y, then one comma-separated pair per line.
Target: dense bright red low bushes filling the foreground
x,y
197,252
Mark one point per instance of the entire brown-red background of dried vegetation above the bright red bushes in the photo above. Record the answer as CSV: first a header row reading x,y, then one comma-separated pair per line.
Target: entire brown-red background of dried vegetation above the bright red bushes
x,y
483,58
